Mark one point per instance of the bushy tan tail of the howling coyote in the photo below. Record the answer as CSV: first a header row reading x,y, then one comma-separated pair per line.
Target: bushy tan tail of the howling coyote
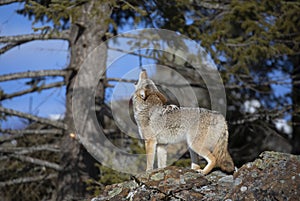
x,y
224,160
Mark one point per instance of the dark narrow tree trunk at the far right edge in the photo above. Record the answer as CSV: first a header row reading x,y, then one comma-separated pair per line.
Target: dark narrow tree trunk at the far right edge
x,y
296,105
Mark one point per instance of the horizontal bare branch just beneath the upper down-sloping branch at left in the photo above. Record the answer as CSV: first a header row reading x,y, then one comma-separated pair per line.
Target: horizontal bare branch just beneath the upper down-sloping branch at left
x,y
22,132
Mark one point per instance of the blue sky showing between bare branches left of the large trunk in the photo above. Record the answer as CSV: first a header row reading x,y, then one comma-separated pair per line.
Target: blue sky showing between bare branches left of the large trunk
x,y
37,55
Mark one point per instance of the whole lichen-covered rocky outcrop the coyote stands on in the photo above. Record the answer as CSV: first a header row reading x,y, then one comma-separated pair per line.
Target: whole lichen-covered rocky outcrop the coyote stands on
x,y
273,176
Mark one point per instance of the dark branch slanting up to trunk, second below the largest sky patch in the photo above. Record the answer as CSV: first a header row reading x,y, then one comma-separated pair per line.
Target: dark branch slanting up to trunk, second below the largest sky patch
x,y
30,90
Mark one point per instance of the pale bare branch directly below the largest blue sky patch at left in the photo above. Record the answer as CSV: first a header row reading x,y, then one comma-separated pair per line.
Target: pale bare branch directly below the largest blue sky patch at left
x,y
32,74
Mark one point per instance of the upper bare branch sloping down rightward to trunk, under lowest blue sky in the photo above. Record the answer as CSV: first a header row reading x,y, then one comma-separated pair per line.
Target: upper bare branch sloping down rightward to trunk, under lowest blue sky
x,y
56,124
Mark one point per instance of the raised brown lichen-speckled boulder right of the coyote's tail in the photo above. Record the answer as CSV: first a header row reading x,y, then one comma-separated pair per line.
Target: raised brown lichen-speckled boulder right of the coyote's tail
x,y
273,176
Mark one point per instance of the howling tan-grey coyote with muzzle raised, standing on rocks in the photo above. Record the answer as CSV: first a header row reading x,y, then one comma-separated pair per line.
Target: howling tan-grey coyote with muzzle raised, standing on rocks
x,y
205,131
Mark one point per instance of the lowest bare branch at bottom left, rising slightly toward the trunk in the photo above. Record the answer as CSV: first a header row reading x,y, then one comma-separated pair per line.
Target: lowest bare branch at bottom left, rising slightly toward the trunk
x,y
27,179
